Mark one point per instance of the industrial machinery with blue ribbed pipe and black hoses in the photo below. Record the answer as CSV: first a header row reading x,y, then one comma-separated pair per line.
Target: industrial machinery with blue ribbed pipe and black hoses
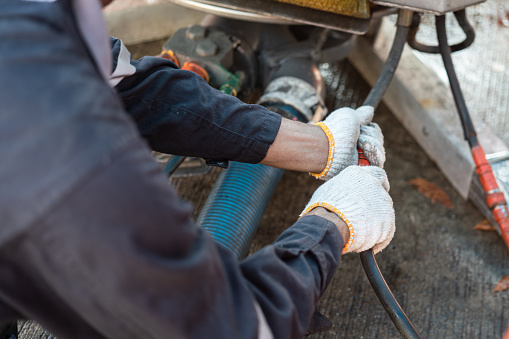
x,y
273,47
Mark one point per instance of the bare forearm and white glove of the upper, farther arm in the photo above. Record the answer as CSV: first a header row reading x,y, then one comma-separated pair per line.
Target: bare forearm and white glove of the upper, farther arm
x,y
329,147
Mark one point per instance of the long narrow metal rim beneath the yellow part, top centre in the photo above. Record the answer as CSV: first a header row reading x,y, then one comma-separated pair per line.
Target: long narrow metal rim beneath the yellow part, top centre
x,y
273,10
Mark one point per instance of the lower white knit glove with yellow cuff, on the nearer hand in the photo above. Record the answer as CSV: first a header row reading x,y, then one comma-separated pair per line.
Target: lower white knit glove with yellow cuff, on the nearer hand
x,y
359,196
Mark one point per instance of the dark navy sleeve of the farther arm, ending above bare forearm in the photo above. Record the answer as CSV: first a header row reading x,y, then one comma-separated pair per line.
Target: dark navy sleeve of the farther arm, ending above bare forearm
x,y
177,112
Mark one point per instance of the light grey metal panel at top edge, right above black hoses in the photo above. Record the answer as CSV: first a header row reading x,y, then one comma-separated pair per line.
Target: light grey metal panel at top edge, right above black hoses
x,y
432,6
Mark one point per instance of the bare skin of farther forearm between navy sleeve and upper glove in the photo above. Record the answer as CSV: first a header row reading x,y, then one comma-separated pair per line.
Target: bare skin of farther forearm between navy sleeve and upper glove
x,y
298,147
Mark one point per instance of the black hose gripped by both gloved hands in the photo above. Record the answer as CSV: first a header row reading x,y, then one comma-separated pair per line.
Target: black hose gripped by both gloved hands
x,y
373,273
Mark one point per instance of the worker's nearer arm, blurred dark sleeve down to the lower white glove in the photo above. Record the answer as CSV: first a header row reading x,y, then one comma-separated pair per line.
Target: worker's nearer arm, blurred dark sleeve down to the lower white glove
x,y
139,267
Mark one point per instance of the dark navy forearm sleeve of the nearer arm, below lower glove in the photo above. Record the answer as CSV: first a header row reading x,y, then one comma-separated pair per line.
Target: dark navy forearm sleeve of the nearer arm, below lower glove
x,y
289,277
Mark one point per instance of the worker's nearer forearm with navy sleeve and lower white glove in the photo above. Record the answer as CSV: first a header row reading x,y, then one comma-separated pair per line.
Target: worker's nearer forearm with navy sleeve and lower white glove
x,y
357,198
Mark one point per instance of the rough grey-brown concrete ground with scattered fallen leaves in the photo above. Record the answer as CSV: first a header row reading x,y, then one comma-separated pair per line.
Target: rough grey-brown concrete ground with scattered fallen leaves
x,y
441,270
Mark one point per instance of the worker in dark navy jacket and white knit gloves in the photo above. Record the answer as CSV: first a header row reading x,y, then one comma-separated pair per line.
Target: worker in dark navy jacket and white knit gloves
x,y
95,243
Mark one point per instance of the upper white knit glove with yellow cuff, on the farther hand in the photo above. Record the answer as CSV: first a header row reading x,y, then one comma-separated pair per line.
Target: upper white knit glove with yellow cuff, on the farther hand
x,y
347,129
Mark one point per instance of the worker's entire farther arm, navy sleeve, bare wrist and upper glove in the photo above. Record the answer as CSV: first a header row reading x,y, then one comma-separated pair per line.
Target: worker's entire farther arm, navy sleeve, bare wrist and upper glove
x,y
178,113
